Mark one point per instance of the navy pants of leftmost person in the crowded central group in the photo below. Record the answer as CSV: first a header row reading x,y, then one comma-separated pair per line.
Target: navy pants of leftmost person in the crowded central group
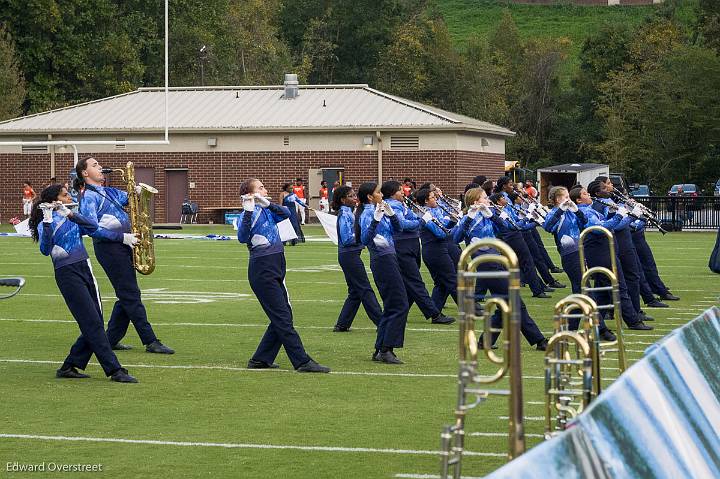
x,y
359,290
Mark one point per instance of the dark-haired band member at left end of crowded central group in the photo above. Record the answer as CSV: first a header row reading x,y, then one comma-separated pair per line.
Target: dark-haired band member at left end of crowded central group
x,y
349,250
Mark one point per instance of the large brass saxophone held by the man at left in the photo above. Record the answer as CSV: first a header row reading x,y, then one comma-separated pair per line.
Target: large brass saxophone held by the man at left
x,y
140,221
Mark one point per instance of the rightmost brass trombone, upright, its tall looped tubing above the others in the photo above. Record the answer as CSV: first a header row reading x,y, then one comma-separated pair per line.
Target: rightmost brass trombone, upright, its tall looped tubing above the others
x,y
613,288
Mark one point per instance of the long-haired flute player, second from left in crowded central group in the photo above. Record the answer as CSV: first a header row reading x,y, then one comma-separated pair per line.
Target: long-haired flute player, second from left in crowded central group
x,y
375,224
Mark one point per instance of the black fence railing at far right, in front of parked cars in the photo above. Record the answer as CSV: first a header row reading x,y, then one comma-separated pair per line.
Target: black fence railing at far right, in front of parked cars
x,y
676,213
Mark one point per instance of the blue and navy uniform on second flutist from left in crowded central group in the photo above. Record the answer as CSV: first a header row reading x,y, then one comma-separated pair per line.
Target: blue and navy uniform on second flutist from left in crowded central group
x,y
378,237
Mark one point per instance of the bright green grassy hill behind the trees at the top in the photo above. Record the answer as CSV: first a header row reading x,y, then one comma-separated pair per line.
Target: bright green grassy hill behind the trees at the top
x,y
467,17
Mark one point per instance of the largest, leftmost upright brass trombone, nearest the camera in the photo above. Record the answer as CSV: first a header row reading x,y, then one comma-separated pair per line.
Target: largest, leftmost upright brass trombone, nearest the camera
x,y
470,382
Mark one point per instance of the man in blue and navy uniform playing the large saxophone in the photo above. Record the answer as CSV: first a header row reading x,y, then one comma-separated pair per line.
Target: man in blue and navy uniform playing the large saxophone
x,y
104,207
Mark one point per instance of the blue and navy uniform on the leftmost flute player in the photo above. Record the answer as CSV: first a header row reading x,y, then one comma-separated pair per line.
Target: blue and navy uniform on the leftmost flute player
x,y
62,241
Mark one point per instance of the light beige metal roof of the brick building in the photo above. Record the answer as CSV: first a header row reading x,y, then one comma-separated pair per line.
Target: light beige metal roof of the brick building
x,y
318,107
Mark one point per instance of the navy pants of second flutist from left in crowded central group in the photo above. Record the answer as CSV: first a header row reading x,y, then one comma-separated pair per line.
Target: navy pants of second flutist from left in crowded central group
x,y
388,279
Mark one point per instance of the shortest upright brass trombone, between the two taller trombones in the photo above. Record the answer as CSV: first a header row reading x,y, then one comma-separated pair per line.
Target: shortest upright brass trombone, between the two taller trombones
x,y
560,367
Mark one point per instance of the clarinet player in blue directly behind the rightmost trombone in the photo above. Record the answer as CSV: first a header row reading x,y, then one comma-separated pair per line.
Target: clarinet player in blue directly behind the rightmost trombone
x,y
598,253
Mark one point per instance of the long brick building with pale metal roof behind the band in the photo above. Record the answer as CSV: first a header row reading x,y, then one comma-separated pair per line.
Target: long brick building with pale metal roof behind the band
x,y
221,135
